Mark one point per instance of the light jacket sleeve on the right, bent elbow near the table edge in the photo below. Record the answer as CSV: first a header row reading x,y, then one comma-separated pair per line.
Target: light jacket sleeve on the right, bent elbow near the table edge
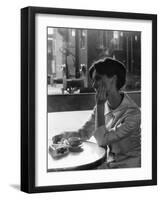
x,y
130,124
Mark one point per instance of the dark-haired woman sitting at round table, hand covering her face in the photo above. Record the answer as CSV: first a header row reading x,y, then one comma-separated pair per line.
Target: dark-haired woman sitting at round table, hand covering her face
x,y
116,118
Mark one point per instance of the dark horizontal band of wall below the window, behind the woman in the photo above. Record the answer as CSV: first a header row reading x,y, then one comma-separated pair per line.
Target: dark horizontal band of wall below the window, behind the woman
x,y
73,102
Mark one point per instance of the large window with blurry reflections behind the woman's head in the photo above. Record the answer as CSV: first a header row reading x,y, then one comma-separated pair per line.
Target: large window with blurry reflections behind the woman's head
x,y
70,53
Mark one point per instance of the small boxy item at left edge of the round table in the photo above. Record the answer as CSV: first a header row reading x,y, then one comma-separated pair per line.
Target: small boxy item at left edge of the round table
x,y
58,150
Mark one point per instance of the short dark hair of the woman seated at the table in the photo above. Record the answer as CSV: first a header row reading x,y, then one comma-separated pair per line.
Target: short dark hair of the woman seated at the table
x,y
110,67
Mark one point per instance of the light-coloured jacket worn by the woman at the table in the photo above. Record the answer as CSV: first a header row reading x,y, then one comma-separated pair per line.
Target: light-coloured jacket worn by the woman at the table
x,y
122,130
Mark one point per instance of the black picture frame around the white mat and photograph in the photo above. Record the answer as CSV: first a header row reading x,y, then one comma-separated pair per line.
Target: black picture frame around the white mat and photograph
x,y
28,98
